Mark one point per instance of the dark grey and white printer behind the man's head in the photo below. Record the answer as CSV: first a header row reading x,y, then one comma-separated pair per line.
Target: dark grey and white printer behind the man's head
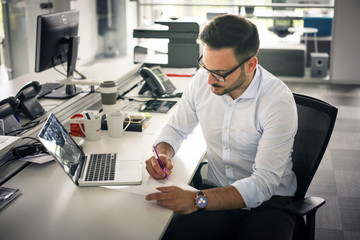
x,y
169,43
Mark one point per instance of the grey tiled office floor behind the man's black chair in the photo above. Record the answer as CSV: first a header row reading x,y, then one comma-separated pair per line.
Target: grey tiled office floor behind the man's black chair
x,y
338,177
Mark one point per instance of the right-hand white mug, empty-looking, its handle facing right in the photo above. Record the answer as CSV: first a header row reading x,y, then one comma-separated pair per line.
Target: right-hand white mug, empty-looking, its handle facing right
x,y
115,123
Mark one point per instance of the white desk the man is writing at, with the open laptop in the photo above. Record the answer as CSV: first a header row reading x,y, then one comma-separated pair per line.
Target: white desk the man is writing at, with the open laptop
x,y
52,207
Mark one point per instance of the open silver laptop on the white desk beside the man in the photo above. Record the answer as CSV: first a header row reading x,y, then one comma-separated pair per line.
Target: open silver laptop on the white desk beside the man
x,y
91,169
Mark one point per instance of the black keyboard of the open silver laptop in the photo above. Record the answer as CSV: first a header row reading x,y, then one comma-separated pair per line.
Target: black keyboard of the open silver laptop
x,y
101,167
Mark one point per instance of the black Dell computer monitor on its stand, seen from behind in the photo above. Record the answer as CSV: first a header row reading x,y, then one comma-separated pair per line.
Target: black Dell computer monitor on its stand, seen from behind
x,y
57,43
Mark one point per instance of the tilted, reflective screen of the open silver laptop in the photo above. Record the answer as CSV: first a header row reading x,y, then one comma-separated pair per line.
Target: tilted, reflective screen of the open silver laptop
x,y
62,147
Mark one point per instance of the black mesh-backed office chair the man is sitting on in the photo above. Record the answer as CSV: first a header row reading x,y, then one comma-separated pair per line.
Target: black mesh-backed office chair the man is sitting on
x,y
316,120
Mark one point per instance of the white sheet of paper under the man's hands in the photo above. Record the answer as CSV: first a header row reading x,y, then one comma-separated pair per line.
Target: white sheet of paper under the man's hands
x,y
150,186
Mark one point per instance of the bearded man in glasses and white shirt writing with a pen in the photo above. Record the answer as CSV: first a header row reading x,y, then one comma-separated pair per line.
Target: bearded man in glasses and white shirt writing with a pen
x,y
249,119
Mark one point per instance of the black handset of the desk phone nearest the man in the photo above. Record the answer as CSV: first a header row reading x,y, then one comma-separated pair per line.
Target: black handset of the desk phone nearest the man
x,y
152,82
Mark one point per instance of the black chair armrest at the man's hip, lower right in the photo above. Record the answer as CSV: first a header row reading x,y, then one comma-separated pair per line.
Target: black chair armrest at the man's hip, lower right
x,y
305,206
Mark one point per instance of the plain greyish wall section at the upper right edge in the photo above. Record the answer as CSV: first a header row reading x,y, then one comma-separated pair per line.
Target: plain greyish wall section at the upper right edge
x,y
345,47
